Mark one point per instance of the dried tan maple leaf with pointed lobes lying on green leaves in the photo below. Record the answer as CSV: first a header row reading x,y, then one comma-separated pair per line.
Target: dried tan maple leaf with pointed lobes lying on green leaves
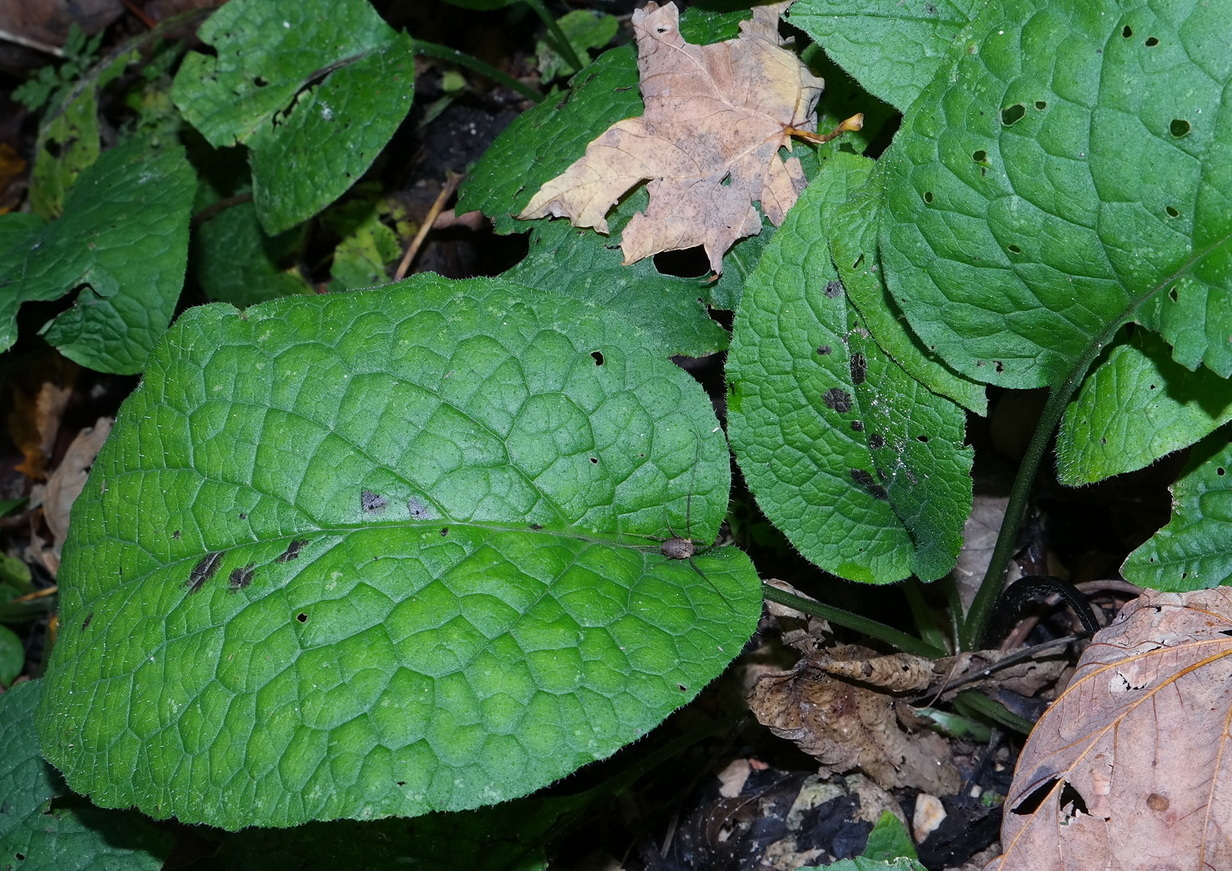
x,y
709,142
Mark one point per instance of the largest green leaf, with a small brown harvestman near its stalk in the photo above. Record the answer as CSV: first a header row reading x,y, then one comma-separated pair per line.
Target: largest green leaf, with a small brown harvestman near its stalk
x,y
389,553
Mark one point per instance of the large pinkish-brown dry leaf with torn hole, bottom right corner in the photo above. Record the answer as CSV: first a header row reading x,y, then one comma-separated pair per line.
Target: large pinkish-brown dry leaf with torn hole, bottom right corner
x,y
1132,768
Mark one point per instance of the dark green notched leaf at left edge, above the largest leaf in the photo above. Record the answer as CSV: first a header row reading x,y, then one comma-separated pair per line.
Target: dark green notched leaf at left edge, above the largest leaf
x,y
123,243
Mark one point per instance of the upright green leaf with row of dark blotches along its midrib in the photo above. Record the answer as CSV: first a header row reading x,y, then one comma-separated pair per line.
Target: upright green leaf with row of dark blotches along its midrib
x,y
854,460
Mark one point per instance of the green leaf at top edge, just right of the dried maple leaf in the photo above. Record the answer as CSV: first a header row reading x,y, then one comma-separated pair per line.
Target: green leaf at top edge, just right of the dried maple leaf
x,y
891,47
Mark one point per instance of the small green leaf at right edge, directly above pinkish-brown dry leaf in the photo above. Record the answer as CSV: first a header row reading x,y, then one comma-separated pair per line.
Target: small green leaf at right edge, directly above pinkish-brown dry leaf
x,y
1194,551
